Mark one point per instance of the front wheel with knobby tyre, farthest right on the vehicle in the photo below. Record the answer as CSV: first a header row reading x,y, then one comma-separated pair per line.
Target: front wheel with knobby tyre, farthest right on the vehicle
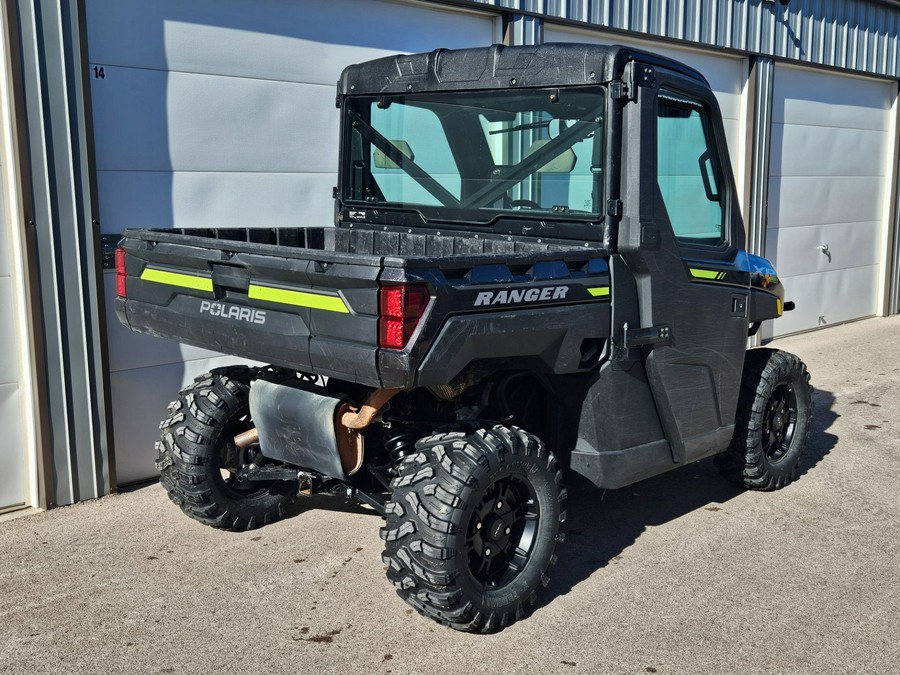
x,y
773,421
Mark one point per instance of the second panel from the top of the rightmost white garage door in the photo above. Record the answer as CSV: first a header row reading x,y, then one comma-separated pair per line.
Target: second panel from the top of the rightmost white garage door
x,y
826,151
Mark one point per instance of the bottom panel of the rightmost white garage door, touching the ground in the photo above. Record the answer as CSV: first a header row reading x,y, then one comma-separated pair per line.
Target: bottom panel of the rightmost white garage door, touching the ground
x,y
836,296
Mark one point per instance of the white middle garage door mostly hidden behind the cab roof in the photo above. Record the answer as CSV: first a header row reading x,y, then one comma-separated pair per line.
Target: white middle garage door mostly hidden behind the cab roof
x,y
726,76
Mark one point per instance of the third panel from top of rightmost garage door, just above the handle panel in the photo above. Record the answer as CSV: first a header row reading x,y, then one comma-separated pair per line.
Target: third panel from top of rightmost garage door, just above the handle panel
x,y
811,200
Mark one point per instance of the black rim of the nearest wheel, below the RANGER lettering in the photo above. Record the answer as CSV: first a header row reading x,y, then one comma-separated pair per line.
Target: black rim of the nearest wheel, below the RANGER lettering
x,y
502,532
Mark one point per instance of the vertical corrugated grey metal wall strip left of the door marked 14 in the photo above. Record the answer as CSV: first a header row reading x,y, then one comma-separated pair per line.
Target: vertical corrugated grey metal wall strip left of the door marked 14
x,y
58,217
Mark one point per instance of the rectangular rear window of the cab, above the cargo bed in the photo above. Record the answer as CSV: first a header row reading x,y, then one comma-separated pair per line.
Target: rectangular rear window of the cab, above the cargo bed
x,y
476,156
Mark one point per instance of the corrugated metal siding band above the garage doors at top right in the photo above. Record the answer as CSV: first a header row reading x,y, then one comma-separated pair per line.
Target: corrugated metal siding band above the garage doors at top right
x,y
863,36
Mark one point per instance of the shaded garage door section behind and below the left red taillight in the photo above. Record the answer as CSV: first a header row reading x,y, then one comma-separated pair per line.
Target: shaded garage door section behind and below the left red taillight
x,y
129,350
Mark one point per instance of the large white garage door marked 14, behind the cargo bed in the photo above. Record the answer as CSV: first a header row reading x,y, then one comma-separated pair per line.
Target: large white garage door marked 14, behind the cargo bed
x,y
221,113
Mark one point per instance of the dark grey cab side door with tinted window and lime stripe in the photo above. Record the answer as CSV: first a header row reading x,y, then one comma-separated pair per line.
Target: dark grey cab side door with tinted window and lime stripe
x,y
689,265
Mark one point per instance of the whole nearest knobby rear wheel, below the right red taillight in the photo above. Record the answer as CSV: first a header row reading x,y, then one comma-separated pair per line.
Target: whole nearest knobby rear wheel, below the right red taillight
x,y
472,526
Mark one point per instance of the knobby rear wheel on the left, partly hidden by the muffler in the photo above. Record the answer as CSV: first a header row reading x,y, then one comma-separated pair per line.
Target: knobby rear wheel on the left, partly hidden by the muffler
x,y
198,460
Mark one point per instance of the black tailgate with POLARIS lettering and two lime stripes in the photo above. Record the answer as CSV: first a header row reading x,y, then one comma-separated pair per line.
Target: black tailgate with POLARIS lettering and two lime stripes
x,y
311,310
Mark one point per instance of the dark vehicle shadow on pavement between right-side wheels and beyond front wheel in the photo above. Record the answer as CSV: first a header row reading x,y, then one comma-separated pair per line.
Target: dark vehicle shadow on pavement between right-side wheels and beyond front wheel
x,y
602,524
